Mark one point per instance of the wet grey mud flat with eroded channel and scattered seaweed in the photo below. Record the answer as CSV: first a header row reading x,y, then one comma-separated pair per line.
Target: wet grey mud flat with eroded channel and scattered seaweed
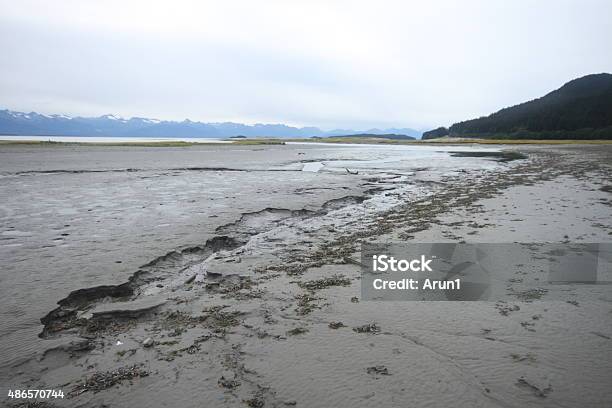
x,y
250,295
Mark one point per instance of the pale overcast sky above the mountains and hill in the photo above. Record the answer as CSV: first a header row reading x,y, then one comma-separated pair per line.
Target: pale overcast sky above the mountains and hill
x,y
332,64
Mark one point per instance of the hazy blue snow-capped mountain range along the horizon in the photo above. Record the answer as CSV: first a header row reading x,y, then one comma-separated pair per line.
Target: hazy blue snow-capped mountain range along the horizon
x,y
35,124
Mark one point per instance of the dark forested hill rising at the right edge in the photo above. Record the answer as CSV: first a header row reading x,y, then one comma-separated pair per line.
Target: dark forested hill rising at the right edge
x,y
580,109
